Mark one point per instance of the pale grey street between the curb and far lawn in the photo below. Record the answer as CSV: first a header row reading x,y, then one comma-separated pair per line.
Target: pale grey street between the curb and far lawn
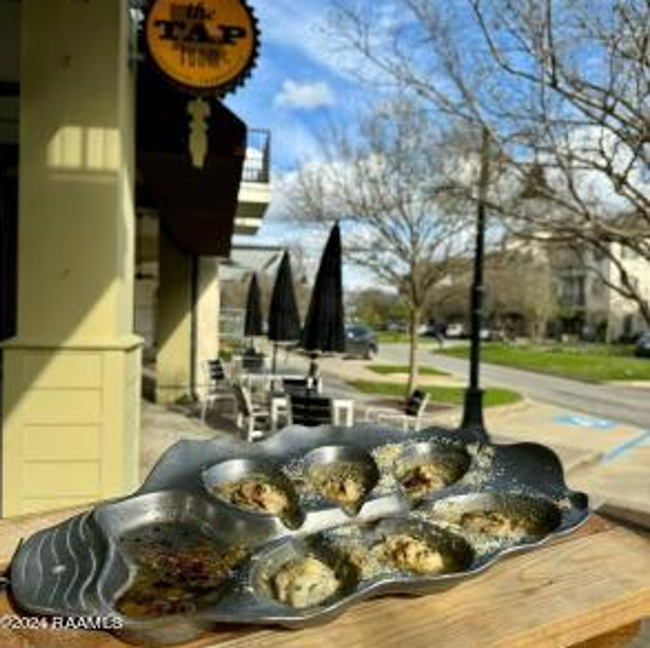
x,y
629,405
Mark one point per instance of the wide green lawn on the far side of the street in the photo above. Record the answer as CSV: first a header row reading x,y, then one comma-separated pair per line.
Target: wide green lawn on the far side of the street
x,y
590,363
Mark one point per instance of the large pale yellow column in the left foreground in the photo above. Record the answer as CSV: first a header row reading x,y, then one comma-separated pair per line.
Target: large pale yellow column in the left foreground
x,y
72,374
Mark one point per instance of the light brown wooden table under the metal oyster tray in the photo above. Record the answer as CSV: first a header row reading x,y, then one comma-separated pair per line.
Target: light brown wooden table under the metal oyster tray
x,y
590,589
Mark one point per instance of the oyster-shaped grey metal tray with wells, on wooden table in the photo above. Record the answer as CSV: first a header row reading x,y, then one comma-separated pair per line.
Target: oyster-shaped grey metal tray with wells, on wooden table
x,y
81,566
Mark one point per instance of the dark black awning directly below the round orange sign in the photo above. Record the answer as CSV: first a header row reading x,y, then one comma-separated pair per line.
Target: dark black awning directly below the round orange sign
x,y
198,205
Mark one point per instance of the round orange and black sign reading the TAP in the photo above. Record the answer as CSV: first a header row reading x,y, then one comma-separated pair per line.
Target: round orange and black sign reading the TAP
x,y
207,46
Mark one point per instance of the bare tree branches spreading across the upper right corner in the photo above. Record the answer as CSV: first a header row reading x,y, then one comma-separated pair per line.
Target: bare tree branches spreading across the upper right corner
x,y
563,87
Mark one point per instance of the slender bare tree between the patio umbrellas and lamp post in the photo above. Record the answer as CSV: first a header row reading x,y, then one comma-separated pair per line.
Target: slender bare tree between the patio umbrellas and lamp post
x,y
378,176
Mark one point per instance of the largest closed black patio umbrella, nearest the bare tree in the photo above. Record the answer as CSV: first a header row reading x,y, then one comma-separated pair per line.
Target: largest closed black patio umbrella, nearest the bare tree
x,y
324,326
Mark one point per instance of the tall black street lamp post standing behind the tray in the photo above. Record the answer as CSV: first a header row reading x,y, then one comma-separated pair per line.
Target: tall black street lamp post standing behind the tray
x,y
473,410
